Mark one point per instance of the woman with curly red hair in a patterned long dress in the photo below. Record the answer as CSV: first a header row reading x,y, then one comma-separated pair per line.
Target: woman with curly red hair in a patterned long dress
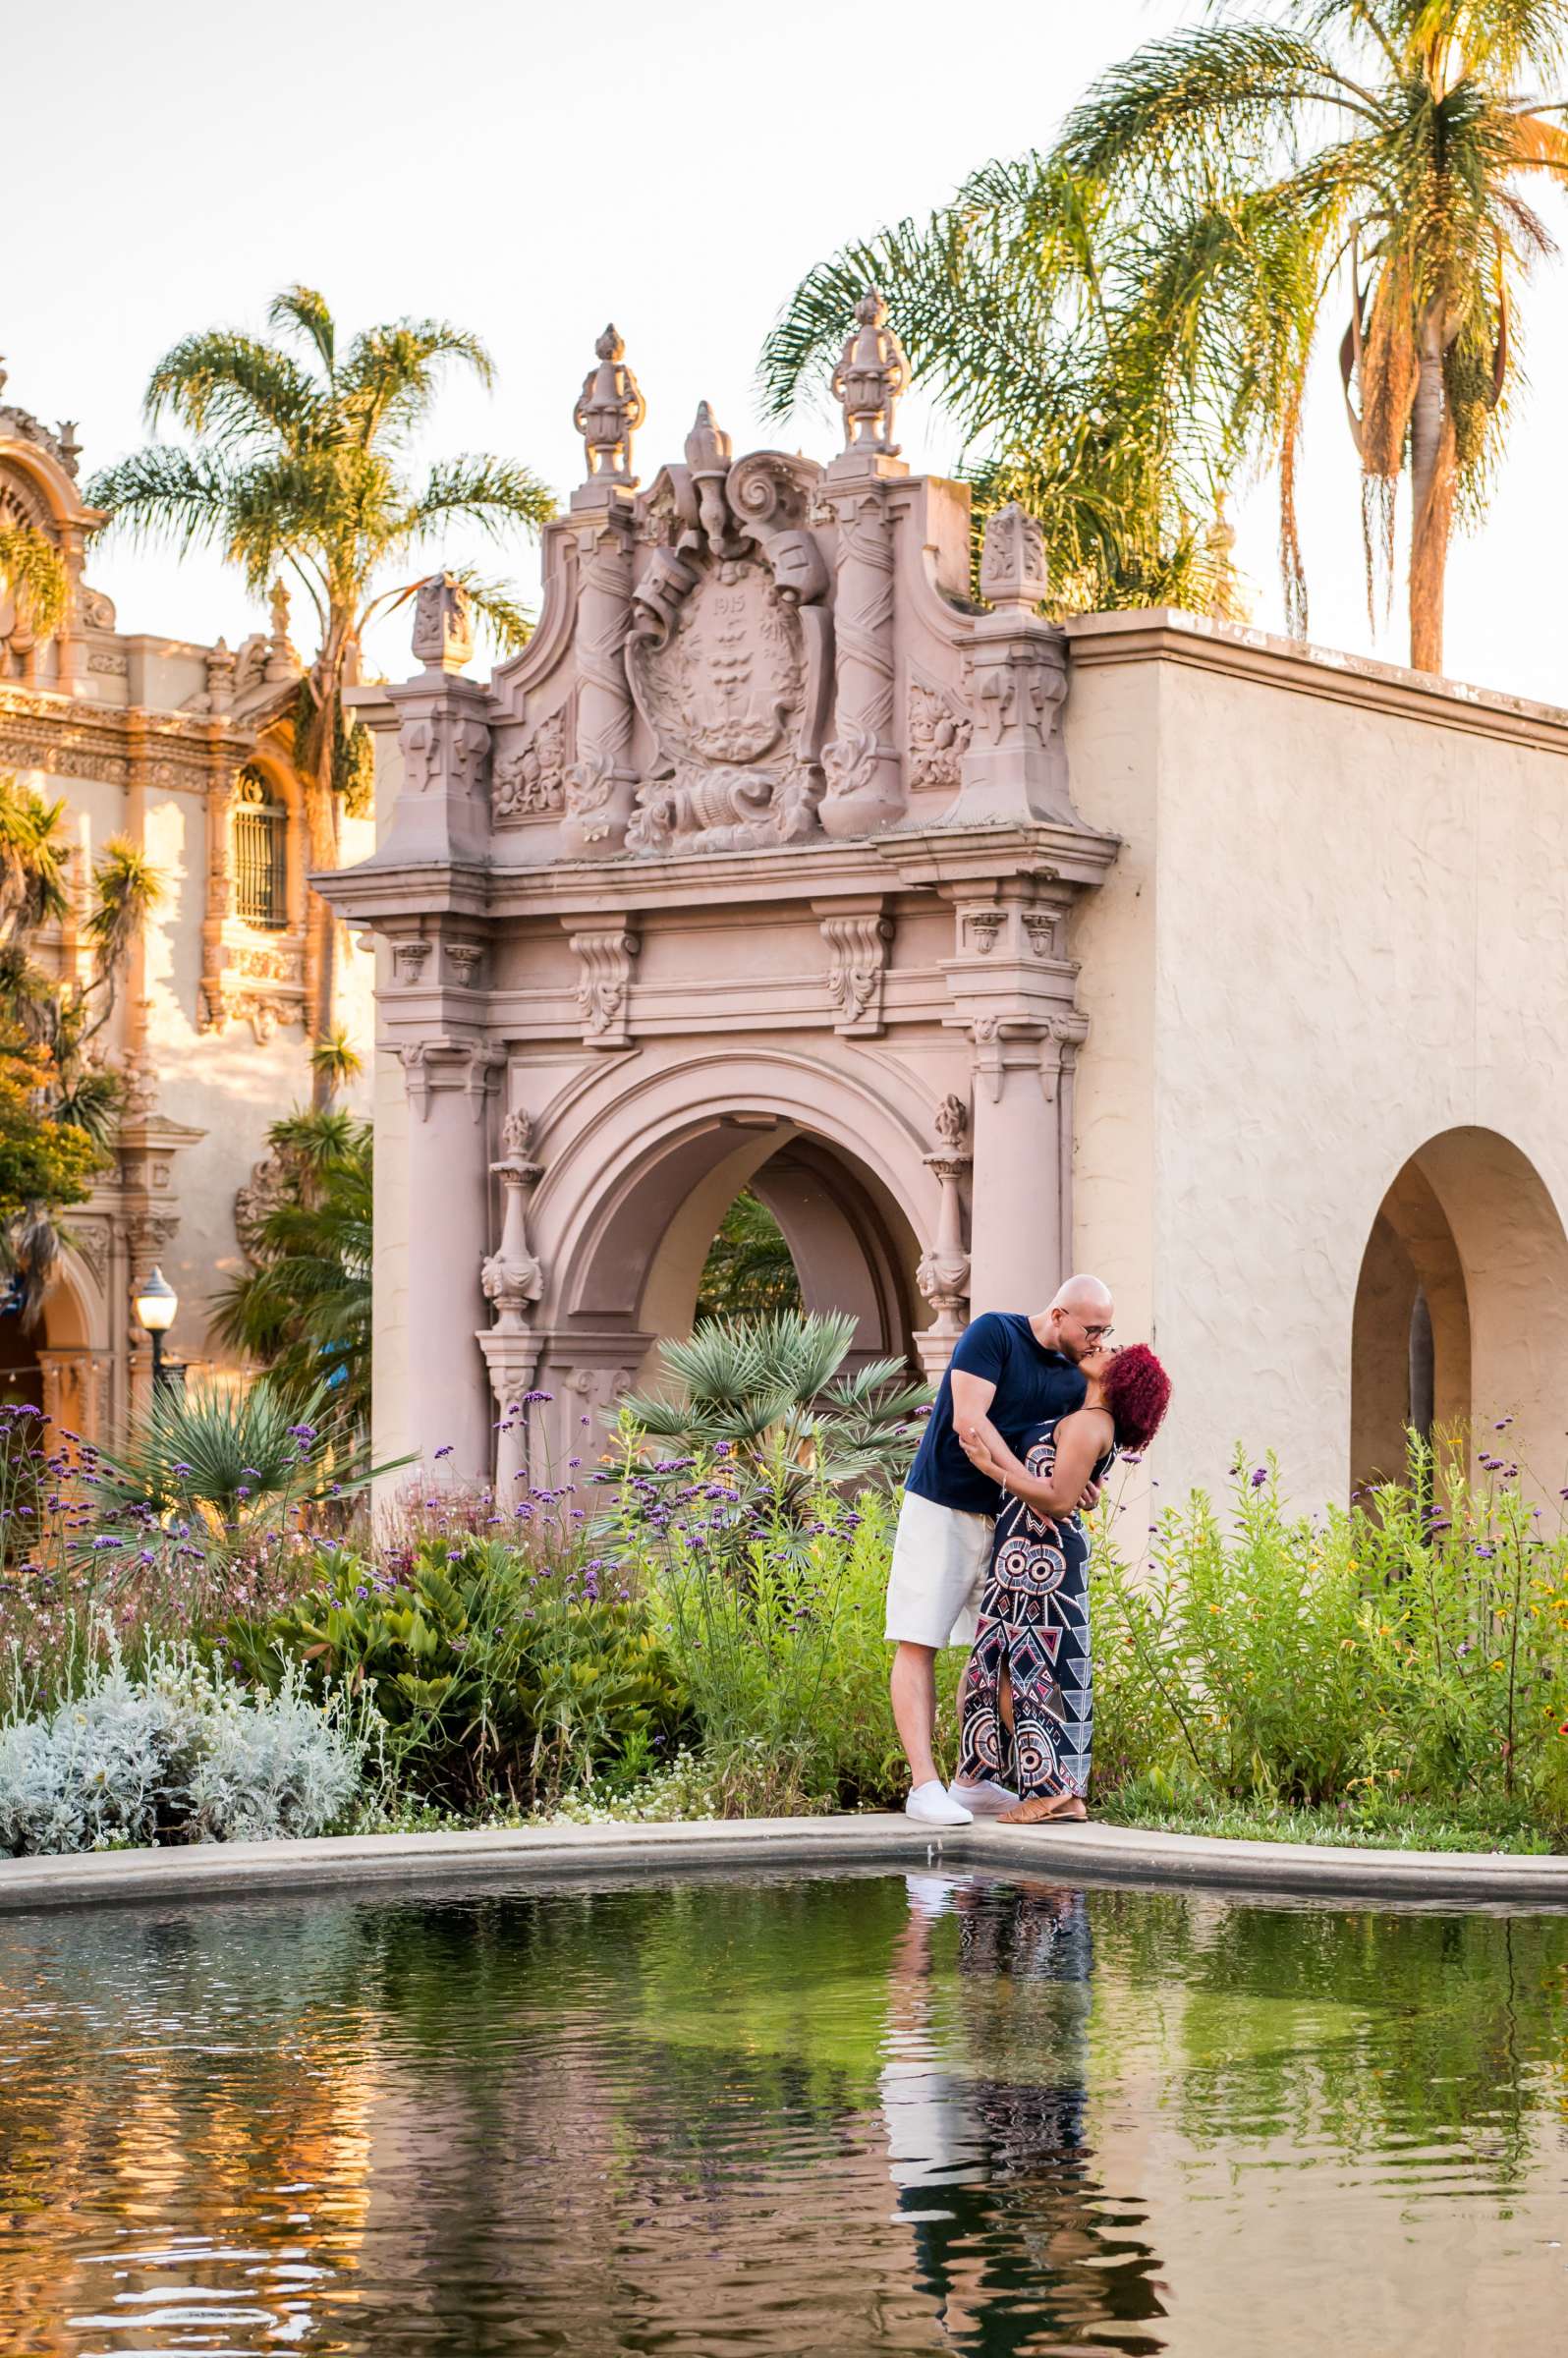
x,y
1027,1708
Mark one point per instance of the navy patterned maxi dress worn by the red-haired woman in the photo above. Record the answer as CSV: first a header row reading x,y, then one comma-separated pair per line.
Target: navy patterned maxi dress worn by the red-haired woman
x,y
1034,1633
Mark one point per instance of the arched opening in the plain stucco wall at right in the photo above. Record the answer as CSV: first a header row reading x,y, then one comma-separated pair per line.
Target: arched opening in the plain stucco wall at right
x,y
1463,1310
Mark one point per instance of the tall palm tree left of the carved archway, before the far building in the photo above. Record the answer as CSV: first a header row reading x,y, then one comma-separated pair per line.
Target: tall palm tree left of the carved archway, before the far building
x,y
301,466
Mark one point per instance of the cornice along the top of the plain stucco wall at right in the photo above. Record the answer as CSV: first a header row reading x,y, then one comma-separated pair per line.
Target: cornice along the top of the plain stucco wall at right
x,y
1168,635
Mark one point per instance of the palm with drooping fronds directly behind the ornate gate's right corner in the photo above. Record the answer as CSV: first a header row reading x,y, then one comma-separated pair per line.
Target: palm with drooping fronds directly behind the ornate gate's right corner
x,y
1022,315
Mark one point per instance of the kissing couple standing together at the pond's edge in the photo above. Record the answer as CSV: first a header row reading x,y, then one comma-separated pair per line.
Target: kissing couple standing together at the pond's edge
x,y
991,1550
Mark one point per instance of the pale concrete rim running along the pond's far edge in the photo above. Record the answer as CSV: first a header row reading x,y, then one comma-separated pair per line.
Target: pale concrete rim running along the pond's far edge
x,y
553,1852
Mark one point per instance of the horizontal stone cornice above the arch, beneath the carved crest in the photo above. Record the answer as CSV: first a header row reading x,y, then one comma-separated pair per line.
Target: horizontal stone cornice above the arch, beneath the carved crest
x,y
598,890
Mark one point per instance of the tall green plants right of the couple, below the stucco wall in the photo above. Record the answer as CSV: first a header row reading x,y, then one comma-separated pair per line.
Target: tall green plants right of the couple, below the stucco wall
x,y
1392,1652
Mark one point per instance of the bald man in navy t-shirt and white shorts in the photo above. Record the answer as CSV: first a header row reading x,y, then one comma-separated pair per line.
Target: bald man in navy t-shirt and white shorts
x,y
1008,1371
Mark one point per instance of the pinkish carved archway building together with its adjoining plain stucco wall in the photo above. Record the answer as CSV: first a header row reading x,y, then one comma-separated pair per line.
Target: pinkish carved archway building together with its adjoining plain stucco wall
x,y
973,947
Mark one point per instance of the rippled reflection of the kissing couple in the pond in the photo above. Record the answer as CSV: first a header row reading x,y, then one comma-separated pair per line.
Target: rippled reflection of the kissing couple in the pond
x,y
1015,2241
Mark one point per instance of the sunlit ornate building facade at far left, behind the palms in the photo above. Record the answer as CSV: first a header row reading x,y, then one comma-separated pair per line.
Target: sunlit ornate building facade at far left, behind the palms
x,y
185,751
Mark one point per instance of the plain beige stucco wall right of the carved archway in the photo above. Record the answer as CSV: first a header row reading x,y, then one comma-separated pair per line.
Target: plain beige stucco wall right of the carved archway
x,y
1333,935
